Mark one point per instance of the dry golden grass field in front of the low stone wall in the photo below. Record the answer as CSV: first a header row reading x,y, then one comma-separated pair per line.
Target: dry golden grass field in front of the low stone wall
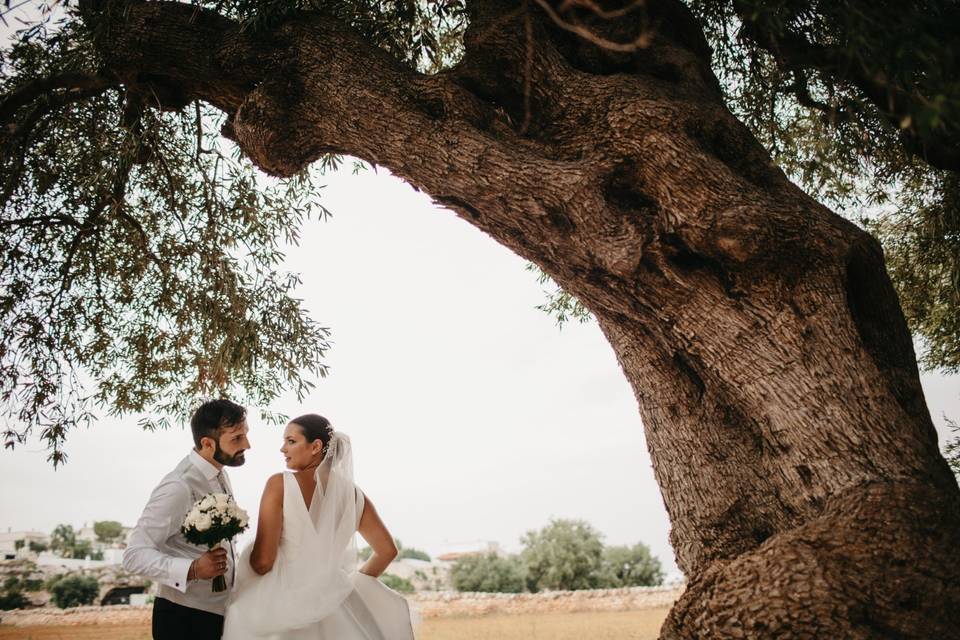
x,y
620,625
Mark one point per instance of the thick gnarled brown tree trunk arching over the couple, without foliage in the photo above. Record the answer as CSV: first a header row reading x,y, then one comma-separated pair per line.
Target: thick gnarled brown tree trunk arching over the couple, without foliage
x,y
774,371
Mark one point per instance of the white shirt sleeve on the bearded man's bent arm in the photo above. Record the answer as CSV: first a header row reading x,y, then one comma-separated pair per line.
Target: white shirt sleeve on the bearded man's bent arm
x,y
160,520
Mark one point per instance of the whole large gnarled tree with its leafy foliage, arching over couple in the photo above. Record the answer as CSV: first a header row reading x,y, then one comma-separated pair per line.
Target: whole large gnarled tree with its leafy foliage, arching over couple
x,y
764,340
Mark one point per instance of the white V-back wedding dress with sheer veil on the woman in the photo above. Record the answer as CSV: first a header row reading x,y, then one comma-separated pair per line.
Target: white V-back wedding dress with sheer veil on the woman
x,y
313,591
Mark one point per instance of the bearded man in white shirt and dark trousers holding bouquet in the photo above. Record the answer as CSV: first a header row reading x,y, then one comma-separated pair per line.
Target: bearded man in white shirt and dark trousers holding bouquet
x,y
186,607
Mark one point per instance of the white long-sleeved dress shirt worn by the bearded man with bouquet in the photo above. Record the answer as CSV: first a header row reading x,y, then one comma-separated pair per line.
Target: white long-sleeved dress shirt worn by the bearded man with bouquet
x,y
157,550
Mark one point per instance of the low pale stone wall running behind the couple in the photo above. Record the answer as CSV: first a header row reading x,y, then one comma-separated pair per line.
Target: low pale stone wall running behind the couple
x,y
429,605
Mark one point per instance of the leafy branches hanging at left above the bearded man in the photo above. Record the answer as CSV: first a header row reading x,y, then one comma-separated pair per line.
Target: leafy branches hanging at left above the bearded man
x,y
140,256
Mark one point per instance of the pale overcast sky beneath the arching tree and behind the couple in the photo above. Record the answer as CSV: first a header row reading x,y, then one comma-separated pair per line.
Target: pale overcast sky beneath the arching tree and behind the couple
x,y
473,417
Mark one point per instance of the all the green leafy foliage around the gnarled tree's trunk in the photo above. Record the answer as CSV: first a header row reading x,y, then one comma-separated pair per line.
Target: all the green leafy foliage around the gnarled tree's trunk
x,y
141,253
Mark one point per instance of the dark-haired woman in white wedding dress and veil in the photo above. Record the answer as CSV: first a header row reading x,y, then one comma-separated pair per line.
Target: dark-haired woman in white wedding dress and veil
x,y
298,580
